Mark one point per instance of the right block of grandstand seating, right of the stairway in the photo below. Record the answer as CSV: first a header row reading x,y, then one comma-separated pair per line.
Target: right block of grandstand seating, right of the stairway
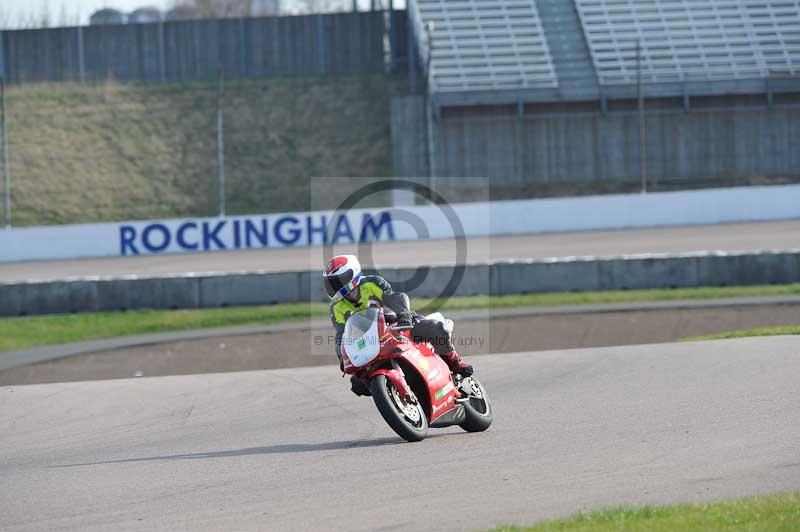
x,y
691,40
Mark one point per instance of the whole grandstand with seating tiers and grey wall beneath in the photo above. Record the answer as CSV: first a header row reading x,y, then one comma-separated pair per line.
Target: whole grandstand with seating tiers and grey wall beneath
x,y
515,86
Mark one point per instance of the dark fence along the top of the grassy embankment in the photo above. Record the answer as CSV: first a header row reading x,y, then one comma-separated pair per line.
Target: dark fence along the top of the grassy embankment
x,y
312,45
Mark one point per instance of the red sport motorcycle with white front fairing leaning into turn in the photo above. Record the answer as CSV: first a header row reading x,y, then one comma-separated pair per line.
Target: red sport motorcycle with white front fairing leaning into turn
x,y
412,386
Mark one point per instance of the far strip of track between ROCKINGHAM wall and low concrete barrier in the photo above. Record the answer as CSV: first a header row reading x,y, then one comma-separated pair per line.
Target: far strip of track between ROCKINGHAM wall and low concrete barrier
x,y
726,237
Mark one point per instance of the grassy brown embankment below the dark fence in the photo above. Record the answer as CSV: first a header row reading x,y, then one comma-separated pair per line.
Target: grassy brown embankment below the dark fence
x,y
97,153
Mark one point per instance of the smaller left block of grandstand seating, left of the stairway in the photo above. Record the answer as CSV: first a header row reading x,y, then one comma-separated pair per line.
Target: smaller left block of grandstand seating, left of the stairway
x,y
482,45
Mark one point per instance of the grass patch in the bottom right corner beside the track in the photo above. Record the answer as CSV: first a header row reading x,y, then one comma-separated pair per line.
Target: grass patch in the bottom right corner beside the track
x,y
767,513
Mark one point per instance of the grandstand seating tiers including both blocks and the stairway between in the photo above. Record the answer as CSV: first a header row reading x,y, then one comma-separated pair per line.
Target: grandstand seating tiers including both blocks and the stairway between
x,y
594,46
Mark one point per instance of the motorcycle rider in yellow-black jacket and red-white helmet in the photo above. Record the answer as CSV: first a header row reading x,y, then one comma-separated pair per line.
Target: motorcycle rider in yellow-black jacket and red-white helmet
x,y
350,291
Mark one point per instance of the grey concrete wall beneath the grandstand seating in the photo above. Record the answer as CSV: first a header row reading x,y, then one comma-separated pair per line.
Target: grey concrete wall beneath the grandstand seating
x,y
719,138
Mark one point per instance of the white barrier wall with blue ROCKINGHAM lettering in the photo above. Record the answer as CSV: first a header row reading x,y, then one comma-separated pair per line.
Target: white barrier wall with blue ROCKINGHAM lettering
x,y
402,223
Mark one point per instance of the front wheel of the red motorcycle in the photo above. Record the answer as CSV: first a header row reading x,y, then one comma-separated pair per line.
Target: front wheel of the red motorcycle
x,y
406,418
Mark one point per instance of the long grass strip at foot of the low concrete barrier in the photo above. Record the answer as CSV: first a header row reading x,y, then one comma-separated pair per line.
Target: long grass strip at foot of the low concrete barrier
x,y
33,331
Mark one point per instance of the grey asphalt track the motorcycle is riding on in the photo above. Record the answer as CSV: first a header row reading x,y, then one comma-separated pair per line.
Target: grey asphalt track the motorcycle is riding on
x,y
293,449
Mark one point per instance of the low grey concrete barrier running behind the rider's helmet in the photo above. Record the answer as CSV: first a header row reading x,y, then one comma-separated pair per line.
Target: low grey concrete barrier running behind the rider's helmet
x,y
498,278
